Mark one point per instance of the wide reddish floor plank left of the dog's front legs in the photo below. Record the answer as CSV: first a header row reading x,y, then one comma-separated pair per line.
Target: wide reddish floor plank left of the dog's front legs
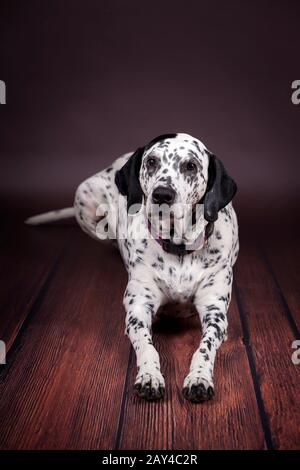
x,y
63,385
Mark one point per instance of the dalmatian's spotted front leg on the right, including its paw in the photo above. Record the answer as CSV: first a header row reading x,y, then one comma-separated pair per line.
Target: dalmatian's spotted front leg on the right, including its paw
x,y
212,302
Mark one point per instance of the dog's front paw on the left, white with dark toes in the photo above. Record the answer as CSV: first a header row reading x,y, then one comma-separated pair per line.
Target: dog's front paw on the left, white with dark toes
x,y
150,386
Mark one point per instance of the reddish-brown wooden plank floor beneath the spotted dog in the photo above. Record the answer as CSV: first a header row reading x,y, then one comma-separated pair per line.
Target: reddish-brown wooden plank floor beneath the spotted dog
x,y
68,381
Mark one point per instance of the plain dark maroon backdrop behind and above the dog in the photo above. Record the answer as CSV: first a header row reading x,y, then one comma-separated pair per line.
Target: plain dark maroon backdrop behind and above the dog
x,y
90,80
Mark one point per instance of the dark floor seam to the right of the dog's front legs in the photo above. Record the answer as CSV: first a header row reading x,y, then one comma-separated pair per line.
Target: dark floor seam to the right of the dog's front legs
x,y
254,375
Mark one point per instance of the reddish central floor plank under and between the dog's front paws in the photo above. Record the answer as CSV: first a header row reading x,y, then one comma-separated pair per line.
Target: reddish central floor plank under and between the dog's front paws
x,y
230,421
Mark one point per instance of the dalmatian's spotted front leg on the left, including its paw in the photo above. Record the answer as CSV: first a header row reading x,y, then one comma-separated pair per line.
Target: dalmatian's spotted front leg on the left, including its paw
x,y
141,302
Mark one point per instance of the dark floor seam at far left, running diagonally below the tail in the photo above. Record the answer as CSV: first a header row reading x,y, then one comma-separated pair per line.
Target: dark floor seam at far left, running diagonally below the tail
x,y
11,353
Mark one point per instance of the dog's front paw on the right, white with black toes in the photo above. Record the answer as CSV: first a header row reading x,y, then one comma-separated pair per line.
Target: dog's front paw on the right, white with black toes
x,y
197,389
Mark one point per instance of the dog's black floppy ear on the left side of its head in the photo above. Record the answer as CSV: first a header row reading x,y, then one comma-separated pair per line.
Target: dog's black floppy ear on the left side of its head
x,y
127,179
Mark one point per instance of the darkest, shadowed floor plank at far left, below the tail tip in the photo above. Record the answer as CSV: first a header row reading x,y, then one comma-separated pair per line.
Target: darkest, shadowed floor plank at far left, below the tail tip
x,y
28,256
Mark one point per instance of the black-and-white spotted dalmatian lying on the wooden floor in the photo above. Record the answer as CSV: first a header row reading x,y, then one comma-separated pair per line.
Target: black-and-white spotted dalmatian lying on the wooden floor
x,y
174,171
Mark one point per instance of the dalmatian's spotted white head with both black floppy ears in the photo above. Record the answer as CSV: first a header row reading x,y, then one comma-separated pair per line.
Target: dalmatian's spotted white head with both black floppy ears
x,y
176,171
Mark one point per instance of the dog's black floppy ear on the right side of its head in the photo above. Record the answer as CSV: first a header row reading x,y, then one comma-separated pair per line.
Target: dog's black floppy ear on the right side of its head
x,y
221,188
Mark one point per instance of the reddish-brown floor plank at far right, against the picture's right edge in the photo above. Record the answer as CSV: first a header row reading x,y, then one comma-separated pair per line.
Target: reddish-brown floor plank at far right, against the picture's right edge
x,y
271,338
